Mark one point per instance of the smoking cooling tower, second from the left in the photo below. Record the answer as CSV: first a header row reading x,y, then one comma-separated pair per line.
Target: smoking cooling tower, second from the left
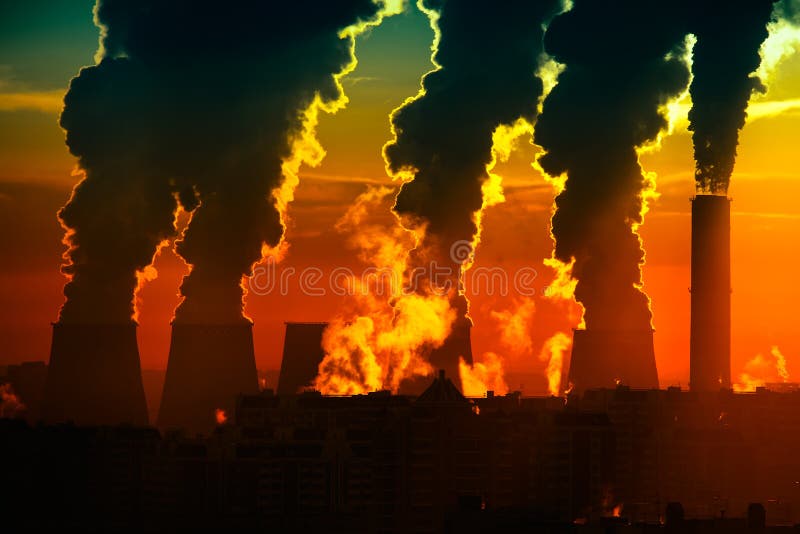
x,y
209,367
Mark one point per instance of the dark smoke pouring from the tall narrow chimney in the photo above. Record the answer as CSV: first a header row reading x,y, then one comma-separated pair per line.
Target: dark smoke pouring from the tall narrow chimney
x,y
725,57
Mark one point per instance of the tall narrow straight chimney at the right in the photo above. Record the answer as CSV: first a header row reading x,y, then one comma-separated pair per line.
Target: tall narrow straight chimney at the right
x,y
710,335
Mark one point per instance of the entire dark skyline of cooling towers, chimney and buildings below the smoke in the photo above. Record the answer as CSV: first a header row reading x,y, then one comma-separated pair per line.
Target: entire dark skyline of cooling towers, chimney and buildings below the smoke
x,y
614,452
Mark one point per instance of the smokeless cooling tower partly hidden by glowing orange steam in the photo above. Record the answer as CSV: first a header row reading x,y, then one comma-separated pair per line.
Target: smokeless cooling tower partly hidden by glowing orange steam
x,y
302,354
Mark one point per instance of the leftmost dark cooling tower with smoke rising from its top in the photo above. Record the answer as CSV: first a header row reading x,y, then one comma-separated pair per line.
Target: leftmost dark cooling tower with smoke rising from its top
x,y
94,376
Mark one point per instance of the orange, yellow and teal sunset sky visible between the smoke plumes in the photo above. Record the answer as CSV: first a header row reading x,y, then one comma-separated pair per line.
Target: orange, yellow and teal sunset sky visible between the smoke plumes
x,y
42,51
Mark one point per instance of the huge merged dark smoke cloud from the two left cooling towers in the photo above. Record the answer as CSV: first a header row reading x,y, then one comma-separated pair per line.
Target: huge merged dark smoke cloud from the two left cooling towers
x,y
199,101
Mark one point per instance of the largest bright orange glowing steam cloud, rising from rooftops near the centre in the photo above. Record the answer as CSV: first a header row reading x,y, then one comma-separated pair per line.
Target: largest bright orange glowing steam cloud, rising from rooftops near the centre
x,y
379,340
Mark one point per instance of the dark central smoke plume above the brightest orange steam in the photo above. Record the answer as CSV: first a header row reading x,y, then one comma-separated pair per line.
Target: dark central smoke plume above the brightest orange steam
x,y
489,53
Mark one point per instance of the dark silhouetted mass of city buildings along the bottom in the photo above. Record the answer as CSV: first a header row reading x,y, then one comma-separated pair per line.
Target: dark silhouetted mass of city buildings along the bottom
x,y
609,460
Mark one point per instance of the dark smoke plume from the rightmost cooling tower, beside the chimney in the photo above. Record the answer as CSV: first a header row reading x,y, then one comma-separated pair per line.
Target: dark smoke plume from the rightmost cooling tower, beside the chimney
x,y
622,61
